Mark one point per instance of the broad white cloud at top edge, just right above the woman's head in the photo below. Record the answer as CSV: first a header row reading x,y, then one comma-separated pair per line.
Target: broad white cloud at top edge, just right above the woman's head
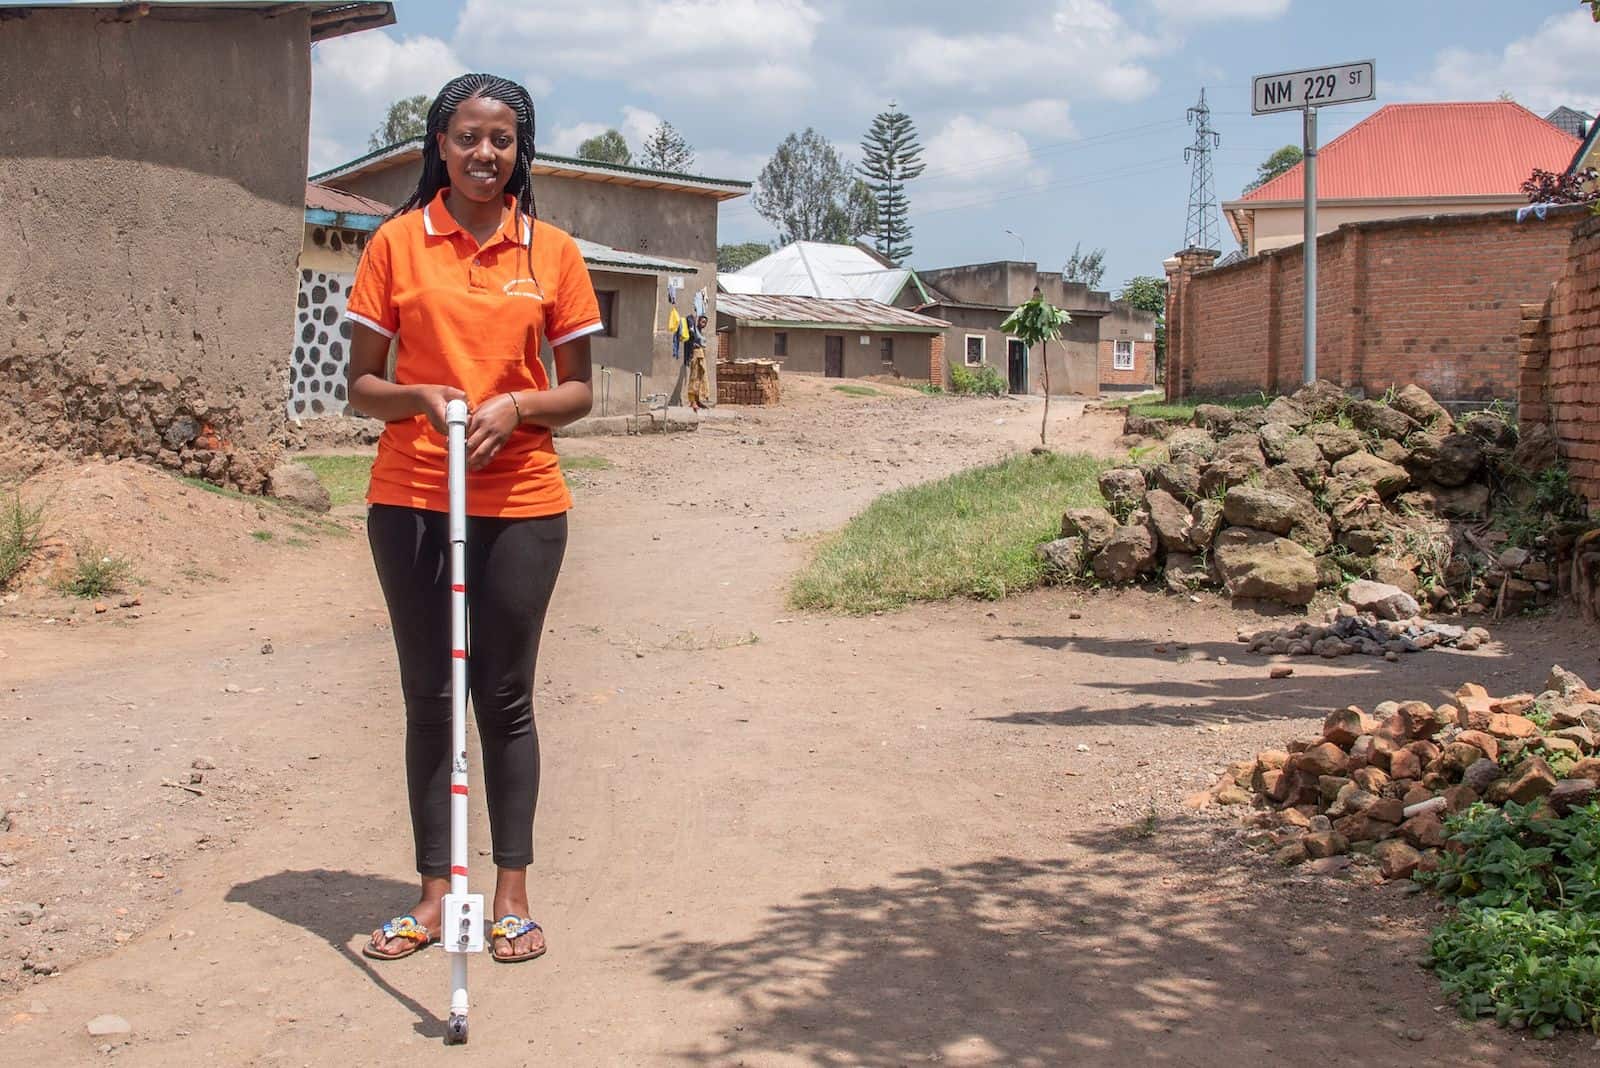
x,y
695,47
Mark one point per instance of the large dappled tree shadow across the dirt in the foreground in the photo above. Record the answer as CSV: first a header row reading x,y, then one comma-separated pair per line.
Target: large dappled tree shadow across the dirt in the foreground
x,y
1121,952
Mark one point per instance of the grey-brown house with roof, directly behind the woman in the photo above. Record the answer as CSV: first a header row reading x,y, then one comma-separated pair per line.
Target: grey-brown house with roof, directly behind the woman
x,y
639,231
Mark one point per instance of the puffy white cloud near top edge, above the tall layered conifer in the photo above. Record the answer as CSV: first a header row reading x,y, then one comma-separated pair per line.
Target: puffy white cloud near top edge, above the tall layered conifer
x,y
1089,47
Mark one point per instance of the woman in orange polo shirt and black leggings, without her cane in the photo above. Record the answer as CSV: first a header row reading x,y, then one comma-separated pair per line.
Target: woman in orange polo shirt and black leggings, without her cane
x,y
468,282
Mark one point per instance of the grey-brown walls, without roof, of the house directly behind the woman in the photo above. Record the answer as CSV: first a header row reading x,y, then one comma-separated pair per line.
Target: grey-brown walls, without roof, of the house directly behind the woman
x,y
657,223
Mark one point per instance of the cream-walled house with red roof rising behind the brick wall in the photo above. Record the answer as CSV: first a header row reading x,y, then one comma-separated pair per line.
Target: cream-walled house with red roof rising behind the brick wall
x,y
1407,161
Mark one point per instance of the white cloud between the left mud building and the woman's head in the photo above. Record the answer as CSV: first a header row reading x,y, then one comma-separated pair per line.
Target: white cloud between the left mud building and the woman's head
x,y
358,78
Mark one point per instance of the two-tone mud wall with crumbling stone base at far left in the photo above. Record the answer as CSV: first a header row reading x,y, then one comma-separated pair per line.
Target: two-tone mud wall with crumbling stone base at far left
x,y
148,250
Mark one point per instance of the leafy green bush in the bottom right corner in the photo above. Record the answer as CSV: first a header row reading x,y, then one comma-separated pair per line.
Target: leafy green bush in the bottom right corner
x,y
1526,946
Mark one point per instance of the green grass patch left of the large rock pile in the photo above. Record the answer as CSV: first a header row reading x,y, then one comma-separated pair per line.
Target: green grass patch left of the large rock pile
x,y
972,535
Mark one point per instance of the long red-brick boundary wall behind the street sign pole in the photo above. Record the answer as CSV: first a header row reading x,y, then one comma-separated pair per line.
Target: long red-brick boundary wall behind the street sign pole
x,y
1434,301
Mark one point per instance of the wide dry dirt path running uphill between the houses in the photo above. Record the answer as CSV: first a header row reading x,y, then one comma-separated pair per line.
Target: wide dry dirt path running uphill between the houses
x,y
764,839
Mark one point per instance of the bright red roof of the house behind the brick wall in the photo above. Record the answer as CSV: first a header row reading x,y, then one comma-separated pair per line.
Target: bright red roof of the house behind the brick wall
x,y
1430,151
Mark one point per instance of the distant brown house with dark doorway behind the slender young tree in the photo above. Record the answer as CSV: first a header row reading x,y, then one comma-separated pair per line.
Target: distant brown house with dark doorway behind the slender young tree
x,y
1110,346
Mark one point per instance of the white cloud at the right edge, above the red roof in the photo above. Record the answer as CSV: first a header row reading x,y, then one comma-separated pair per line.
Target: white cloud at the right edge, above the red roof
x,y
1551,66
